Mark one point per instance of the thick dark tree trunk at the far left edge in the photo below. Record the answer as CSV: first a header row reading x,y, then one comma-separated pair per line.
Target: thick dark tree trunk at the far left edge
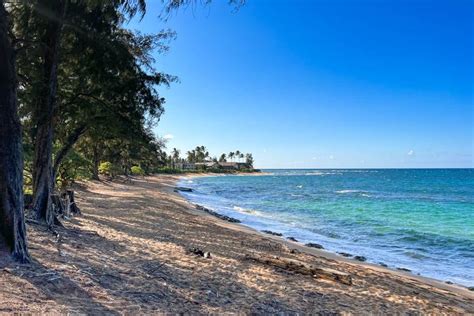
x,y
12,221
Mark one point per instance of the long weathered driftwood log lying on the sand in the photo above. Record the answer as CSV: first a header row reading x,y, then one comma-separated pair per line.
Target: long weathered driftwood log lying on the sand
x,y
301,268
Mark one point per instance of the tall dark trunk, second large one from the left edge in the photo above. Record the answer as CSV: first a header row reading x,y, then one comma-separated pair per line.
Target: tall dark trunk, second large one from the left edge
x,y
43,116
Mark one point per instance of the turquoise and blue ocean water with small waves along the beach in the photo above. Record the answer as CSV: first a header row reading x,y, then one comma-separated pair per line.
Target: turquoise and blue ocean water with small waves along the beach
x,y
420,219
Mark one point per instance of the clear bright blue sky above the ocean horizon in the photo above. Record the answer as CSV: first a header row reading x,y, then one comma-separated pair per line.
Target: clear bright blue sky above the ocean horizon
x,y
322,84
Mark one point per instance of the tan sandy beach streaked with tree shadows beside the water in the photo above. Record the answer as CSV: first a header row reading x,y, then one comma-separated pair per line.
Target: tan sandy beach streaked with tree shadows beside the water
x,y
141,248
